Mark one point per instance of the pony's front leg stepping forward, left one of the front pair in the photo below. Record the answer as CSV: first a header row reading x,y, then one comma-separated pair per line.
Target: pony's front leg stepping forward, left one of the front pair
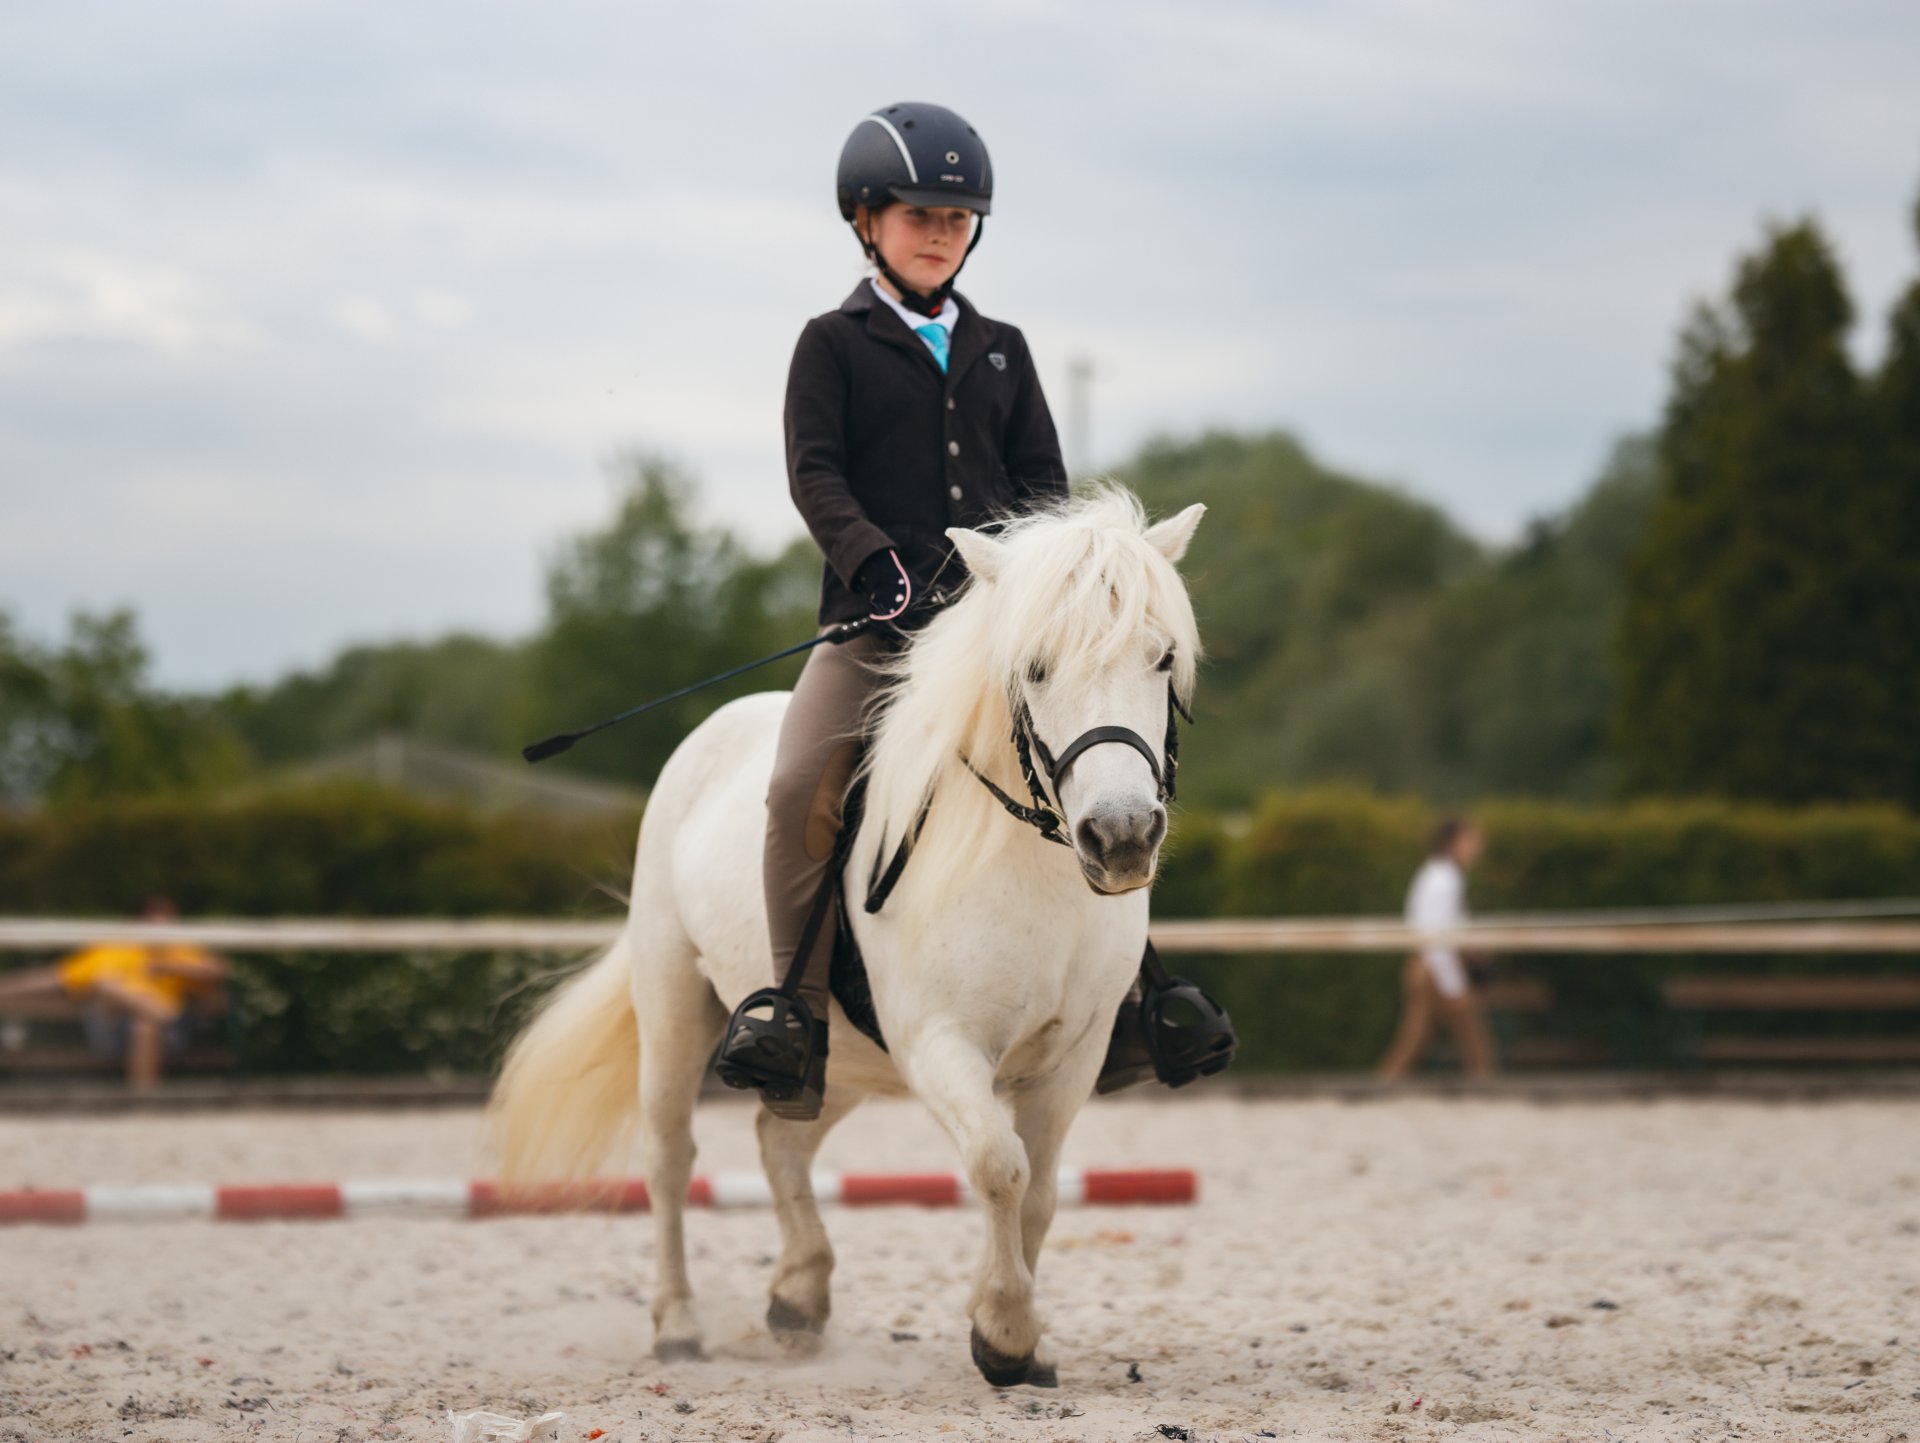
x,y
955,1081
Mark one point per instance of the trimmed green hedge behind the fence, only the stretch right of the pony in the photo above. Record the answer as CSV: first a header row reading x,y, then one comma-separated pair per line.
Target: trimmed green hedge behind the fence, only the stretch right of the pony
x,y
1351,853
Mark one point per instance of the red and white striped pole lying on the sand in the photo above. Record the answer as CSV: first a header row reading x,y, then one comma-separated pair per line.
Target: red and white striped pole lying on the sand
x,y
252,1202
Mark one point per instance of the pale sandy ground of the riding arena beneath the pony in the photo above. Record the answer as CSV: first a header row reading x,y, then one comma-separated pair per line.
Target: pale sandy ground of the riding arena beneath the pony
x,y
1466,1269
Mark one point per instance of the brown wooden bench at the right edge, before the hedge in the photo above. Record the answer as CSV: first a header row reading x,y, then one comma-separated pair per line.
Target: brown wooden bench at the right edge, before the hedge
x,y
1689,999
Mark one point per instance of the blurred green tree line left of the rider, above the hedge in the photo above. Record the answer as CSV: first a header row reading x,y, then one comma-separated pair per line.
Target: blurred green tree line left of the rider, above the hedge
x,y
644,605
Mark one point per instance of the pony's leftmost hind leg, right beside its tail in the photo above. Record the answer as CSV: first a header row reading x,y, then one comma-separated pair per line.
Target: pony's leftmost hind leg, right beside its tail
x,y
681,1024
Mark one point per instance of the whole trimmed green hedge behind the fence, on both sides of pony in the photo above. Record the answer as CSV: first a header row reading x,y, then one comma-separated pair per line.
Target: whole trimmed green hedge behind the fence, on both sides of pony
x,y
366,853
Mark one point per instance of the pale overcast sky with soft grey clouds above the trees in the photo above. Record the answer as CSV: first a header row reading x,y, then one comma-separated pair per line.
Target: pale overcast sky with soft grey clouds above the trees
x,y
322,321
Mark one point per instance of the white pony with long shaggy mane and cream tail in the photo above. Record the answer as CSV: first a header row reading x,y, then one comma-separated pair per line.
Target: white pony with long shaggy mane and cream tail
x,y
996,966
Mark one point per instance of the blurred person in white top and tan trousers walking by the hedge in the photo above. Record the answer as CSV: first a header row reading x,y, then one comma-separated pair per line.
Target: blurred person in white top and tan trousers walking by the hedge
x,y
1435,985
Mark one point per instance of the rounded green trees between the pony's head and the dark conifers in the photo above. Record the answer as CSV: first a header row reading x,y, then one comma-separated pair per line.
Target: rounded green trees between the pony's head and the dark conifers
x,y
1356,636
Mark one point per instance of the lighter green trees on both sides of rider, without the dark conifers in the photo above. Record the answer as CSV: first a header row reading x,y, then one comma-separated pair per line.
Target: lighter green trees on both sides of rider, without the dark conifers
x,y
1355,636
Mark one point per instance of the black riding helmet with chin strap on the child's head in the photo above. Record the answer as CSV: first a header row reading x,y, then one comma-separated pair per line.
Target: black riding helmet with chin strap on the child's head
x,y
919,156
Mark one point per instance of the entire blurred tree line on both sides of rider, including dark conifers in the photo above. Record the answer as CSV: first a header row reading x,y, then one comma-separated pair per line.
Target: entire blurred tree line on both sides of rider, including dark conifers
x,y
1731,611
